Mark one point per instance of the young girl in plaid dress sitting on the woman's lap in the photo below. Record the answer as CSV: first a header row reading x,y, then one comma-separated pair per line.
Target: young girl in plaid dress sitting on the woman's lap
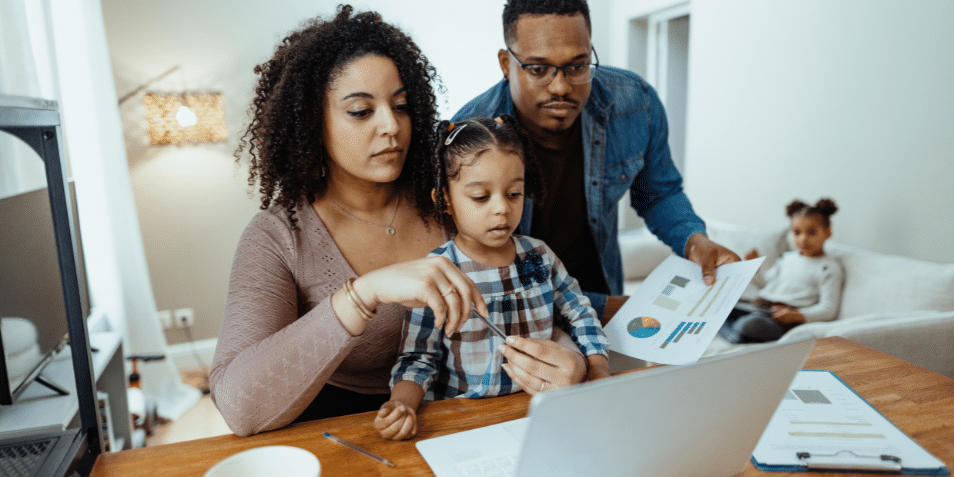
x,y
482,174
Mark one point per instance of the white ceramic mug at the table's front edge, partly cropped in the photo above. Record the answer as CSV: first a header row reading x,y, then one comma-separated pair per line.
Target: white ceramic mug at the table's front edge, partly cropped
x,y
284,461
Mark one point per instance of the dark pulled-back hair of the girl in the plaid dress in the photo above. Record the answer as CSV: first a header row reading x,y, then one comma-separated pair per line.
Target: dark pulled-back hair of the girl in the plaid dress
x,y
472,138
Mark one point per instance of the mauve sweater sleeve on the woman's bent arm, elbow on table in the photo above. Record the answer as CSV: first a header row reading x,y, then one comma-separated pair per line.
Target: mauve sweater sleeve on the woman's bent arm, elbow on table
x,y
270,364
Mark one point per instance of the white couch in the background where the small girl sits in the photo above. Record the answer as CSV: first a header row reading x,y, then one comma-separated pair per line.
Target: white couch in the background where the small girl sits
x,y
896,305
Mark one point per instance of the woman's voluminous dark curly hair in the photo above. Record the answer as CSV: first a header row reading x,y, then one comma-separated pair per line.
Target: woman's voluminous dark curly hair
x,y
285,137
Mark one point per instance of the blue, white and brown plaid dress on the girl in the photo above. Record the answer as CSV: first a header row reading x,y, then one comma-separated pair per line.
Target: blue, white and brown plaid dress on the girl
x,y
521,299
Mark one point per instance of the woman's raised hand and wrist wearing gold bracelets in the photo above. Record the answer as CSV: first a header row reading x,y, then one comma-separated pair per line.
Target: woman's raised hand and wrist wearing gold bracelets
x,y
433,282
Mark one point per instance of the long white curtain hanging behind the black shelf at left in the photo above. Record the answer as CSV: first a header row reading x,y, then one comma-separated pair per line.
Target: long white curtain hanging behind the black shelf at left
x,y
67,60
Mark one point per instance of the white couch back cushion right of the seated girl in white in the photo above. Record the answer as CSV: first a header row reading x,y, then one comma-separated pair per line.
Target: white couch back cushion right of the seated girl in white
x,y
878,283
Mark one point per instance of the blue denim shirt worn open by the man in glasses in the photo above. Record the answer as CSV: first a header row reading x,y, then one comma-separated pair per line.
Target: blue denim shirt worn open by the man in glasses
x,y
625,146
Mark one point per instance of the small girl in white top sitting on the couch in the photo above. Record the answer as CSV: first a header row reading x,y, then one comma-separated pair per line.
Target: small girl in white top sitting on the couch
x,y
804,285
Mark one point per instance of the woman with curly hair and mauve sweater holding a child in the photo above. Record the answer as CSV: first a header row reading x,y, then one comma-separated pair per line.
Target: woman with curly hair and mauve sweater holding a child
x,y
342,125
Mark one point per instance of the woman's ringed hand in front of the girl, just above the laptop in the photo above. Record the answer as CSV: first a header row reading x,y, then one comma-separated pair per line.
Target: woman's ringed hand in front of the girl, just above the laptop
x,y
542,365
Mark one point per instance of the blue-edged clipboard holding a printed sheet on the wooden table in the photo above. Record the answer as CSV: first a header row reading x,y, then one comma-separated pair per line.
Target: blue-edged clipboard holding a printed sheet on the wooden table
x,y
822,425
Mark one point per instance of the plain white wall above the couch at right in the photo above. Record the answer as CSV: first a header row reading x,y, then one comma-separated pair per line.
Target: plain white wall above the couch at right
x,y
810,98
